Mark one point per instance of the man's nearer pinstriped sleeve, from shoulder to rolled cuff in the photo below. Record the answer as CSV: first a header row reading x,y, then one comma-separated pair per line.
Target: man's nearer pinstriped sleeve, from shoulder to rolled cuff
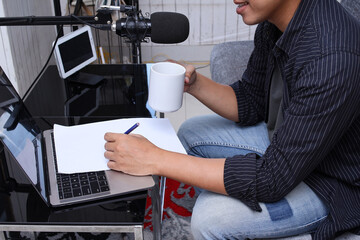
x,y
322,107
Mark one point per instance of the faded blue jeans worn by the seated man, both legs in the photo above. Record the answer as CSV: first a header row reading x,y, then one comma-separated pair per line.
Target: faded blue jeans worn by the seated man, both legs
x,y
217,216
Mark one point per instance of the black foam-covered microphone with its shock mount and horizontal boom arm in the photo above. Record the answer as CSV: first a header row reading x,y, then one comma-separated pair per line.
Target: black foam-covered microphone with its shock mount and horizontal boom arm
x,y
162,27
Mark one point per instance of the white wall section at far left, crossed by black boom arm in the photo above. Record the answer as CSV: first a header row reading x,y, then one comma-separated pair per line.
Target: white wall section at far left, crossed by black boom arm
x,y
25,49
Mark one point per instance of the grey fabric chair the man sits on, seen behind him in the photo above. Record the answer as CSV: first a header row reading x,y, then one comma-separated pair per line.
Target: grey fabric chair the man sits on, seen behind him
x,y
228,62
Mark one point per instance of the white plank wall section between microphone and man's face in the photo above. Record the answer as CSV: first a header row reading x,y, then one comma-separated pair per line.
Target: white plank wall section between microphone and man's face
x,y
211,21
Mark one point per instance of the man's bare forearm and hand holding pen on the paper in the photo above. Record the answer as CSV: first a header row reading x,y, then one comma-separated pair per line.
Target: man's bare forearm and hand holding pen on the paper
x,y
135,155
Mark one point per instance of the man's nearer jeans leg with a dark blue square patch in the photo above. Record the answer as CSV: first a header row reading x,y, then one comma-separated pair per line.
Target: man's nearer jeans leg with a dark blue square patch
x,y
216,216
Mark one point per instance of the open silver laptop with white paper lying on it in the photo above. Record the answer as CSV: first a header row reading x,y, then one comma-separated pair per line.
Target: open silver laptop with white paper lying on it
x,y
33,150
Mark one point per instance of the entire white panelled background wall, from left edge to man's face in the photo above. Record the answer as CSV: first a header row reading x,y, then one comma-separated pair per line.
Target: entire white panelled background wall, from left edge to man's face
x,y
24,49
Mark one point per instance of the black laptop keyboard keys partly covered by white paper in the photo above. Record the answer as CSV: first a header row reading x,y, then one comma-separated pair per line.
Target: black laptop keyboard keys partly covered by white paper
x,y
81,184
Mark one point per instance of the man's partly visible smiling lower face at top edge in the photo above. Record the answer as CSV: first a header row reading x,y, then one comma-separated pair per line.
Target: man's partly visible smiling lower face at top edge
x,y
256,11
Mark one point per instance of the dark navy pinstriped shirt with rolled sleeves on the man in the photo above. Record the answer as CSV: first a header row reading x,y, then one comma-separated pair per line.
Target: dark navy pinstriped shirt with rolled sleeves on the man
x,y
318,141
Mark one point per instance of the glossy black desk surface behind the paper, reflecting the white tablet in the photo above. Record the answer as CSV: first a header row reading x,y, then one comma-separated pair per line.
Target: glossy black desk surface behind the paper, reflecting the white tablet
x,y
122,93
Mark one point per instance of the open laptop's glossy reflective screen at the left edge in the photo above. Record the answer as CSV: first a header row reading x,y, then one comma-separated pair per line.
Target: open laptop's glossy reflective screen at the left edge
x,y
20,134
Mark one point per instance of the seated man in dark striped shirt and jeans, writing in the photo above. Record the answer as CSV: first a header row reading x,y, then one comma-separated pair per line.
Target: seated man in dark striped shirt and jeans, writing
x,y
299,172
